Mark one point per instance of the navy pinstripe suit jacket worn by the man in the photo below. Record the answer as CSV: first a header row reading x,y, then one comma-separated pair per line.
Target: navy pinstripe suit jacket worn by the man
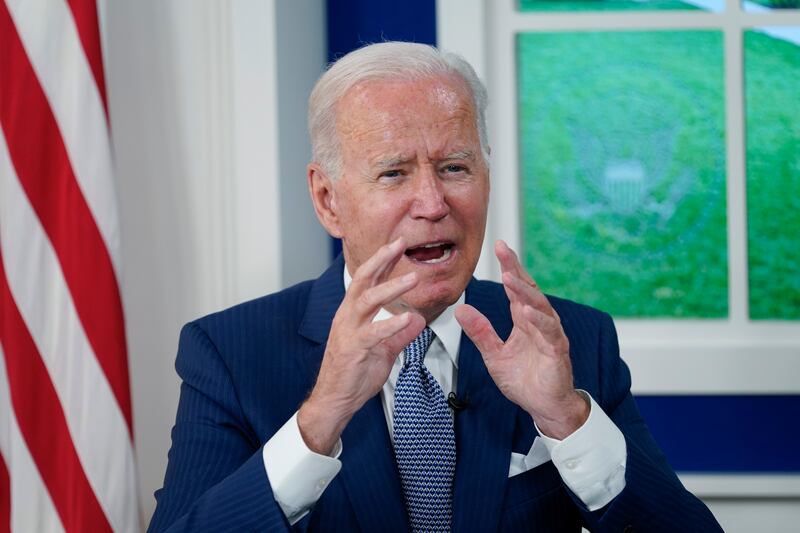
x,y
246,370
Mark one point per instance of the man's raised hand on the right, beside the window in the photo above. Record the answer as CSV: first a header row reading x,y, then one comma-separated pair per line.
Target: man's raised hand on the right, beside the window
x,y
532,368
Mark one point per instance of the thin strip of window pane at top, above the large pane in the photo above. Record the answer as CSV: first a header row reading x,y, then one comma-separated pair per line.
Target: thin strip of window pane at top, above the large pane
x,y
621,5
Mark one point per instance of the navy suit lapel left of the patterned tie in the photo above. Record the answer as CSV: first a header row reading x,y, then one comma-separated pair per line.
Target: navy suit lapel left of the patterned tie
x,y
368,470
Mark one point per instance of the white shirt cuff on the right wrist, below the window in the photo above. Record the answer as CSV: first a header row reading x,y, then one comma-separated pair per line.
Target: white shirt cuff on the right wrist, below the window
x,y
591,461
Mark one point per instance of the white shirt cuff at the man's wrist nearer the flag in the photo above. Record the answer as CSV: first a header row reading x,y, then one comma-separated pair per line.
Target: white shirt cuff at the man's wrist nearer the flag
x,y
297,475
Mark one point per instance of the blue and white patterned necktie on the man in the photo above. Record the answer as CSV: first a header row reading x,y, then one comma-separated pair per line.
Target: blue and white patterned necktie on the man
x,y
424,441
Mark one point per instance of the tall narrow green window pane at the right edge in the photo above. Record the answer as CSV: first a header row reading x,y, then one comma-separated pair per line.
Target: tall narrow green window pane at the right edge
x,y
772,93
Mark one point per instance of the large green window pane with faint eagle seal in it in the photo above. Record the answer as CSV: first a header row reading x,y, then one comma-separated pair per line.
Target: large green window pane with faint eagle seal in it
x,y
622,151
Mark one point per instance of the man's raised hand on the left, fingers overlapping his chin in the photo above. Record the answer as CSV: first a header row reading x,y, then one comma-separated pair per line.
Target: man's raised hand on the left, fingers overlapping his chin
x,y
360,353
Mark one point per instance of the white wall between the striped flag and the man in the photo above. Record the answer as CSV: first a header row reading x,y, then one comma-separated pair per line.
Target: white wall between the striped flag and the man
x,y
211,197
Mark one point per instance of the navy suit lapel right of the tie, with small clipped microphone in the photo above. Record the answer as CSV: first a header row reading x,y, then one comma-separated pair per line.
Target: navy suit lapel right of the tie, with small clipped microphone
x,y
484,431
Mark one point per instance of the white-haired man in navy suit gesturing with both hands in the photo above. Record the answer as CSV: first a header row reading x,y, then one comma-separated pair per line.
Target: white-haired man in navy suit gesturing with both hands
x,y
323,407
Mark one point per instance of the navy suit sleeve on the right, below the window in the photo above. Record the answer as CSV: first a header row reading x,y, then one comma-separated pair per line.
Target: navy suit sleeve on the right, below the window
x,y
653,500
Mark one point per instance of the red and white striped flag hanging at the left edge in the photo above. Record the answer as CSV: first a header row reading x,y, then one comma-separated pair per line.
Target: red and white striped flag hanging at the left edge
x,y
66,434
